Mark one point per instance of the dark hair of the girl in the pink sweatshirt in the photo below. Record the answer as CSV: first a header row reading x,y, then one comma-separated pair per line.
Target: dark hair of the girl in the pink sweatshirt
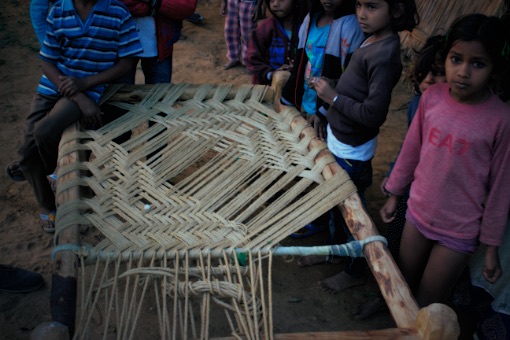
x,y
491,33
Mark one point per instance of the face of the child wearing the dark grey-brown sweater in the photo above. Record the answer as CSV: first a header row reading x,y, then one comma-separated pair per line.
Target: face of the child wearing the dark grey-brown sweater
x,y
373,15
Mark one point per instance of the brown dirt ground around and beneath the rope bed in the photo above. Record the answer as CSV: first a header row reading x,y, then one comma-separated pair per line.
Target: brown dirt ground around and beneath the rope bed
x,y
300,305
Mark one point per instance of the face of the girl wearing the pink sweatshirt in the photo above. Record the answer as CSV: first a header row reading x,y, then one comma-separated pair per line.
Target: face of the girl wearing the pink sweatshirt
x,y
468,71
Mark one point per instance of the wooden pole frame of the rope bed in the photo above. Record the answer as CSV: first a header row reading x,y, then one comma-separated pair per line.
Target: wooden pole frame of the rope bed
x,y
436,321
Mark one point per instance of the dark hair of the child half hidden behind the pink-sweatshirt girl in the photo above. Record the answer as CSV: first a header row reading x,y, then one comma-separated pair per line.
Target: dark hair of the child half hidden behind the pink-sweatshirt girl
x,y
428,59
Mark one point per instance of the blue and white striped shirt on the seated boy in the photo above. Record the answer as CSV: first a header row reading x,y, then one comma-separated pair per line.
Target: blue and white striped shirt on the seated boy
x,y
81,49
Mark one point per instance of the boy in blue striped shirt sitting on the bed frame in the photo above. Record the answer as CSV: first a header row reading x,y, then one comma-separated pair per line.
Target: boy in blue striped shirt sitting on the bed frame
x,y
88,44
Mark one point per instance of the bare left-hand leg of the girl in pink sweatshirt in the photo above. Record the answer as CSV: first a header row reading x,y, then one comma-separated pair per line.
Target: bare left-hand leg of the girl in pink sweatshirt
x,y
414,253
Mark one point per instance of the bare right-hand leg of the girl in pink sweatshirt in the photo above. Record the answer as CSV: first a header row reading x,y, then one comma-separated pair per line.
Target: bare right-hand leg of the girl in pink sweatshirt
x,y
442,271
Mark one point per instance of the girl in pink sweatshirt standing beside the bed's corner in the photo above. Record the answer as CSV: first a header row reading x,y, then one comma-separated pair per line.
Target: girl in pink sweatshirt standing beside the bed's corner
x,y
456,160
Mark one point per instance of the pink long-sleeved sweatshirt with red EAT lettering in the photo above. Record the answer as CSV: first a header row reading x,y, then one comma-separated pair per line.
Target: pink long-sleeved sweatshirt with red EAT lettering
x,y
457,159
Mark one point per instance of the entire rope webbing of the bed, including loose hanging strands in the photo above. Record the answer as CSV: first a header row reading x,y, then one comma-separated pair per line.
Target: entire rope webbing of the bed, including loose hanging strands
x,y
217,172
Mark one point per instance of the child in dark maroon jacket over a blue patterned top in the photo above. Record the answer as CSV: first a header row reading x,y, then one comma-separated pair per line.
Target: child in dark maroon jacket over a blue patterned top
x,y
273,44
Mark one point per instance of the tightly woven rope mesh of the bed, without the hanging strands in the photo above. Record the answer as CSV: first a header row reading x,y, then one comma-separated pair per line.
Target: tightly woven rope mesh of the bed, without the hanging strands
x,y
223,173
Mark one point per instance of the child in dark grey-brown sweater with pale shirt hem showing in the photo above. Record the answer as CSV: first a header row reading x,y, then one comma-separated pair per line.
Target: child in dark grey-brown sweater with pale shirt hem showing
x,y
359,103
